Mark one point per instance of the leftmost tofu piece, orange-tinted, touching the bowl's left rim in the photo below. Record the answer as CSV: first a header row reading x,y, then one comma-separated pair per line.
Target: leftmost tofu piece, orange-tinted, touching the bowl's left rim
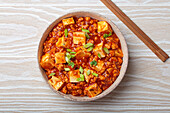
x,y
46,61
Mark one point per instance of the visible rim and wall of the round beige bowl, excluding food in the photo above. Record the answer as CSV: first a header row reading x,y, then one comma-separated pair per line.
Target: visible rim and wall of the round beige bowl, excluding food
x,y
123,46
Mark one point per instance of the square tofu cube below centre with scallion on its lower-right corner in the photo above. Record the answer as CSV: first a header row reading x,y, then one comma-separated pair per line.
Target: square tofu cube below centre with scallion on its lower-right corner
x,y
74,75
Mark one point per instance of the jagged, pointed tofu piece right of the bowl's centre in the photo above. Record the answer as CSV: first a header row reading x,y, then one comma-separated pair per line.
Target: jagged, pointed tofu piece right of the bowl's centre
x,y
99,50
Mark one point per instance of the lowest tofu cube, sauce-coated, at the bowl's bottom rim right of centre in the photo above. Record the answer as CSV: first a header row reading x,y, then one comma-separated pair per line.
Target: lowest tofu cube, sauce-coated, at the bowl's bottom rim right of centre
x,y
93,90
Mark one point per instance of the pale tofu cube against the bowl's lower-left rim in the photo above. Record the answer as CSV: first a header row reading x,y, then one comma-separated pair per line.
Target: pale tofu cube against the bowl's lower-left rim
x,y
56,83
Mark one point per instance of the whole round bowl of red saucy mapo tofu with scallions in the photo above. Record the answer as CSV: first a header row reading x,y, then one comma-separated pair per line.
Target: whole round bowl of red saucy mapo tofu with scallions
x,y
83,56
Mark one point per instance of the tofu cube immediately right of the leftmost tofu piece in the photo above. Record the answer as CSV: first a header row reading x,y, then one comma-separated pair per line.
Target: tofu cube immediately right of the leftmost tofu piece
x,y
60,57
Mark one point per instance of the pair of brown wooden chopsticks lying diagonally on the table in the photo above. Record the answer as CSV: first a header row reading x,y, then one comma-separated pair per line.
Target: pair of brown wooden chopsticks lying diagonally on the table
x,y
136,30
